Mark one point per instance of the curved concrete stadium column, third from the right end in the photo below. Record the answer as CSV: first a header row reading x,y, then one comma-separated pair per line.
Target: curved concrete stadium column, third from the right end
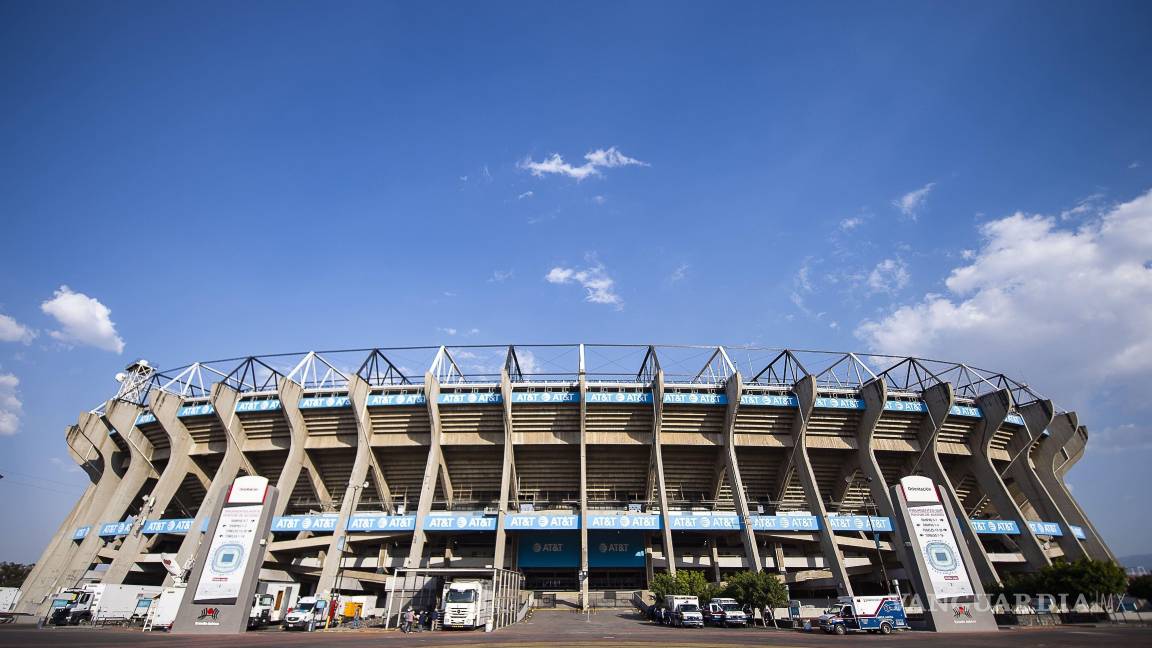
x,y
995,406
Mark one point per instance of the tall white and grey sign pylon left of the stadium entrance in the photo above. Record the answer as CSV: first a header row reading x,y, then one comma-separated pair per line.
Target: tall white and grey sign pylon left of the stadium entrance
x,y
219,596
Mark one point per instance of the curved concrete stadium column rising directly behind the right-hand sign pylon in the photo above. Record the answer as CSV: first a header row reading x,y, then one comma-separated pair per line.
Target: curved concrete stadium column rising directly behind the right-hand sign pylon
x,y
939,400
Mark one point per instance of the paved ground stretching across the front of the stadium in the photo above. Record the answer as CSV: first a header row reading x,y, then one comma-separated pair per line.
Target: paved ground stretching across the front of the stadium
x,y
560,630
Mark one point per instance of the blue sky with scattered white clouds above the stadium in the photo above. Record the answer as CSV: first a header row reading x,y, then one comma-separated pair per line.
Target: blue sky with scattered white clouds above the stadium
x,y
967,182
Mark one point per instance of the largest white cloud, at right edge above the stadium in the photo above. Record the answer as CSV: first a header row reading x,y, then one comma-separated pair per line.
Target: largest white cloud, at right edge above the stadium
x,y
1071,307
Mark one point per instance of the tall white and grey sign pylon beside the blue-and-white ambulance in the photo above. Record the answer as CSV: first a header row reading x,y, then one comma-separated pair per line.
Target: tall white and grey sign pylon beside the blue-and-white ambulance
x,y
941,566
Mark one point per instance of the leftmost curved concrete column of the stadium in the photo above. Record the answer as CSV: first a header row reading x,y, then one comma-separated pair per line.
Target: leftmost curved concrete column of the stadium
x,y
42,581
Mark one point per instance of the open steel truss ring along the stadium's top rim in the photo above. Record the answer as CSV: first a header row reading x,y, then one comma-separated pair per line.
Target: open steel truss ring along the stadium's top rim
x,y
692,366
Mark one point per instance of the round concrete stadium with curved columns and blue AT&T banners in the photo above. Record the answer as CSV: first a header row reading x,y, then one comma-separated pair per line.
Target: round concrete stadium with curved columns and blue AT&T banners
x,y
585,466
